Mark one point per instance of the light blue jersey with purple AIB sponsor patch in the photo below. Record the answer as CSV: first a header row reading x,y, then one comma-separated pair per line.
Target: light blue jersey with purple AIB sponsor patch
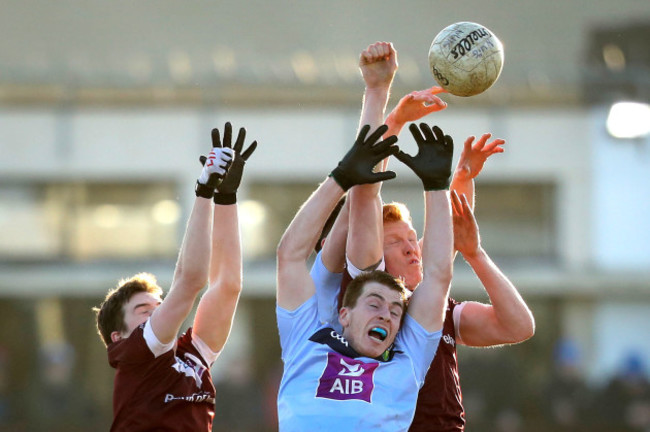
x,y
323,390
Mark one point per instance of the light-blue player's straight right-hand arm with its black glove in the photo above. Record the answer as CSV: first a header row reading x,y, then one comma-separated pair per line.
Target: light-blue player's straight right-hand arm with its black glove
x,y
433,165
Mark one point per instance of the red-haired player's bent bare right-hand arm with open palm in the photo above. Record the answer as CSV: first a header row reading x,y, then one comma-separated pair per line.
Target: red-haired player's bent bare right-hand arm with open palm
x,y
507,319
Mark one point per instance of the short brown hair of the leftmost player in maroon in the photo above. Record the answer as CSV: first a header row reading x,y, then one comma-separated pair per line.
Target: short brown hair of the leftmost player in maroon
x,y
110,314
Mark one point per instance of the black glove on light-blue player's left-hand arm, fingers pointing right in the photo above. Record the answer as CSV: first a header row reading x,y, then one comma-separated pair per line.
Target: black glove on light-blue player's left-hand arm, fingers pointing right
x,y
357,165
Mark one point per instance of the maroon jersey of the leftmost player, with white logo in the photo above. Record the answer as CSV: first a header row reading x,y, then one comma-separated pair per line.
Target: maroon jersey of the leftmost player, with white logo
x,y
172,392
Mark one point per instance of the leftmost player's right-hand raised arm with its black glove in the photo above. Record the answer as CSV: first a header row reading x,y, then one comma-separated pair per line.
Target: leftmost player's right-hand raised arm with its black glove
x,y
216,309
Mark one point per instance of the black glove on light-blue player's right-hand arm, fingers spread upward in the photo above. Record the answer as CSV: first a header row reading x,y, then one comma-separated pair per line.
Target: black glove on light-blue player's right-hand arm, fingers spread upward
x,y
433,161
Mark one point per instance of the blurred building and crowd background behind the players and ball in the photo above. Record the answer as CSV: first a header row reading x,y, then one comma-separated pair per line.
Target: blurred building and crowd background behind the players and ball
x,y
106,106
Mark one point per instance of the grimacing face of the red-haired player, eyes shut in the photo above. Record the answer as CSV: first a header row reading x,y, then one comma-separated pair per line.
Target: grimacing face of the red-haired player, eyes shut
x,y
402,252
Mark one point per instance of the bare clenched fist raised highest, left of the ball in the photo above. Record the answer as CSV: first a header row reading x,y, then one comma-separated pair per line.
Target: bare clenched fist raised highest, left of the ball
x,y
378,64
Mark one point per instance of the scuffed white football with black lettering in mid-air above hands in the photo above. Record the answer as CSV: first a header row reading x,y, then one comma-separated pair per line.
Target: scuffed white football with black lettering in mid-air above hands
x,y
466,58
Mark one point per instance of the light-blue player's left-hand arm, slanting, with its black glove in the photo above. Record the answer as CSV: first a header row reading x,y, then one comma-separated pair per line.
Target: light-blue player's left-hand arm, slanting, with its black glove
x,y
294,285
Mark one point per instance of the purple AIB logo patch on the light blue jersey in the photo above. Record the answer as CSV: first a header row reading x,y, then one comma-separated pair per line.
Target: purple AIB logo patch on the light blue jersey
x,y
345,378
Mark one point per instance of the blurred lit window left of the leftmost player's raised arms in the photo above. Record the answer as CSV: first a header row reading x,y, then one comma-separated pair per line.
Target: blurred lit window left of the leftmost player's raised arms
x,y
88,221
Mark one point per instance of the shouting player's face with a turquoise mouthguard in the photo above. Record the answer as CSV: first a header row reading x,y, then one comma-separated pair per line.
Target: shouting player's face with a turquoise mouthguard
x,y
371,326
